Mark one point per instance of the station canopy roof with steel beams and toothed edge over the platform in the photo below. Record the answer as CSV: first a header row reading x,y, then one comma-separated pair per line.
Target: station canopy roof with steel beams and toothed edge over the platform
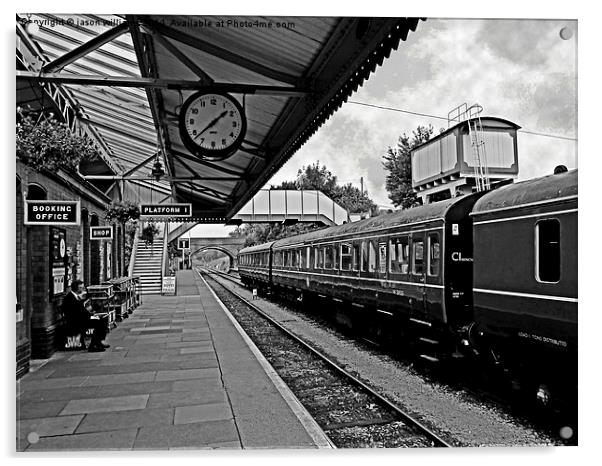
x,y
123,79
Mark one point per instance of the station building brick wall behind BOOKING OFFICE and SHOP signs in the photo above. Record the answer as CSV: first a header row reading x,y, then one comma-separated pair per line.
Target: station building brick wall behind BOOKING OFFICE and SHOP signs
x,y
39,331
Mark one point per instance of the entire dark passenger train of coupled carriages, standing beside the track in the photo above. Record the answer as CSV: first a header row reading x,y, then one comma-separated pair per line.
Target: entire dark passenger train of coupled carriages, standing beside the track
x,y
493,272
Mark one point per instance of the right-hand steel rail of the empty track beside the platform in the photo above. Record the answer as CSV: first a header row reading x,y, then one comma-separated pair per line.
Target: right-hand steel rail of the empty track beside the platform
x,y
437,441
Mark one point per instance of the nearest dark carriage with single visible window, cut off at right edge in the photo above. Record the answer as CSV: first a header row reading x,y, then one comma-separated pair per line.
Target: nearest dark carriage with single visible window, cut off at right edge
x,y
525,269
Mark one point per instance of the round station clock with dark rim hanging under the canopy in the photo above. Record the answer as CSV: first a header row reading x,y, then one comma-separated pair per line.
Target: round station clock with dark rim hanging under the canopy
x,y
212,125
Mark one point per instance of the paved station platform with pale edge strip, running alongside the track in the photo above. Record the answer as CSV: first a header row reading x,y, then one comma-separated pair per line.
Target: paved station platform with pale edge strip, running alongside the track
x,y
179,374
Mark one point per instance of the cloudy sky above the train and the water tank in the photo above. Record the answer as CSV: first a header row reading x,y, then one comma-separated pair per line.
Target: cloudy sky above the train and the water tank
x,y
520,70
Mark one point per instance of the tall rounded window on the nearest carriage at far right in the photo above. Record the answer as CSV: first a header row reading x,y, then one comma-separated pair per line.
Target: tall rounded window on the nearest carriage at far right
x,y
547,251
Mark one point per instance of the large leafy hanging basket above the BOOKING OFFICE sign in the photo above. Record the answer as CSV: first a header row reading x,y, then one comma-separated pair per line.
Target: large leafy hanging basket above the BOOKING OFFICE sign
x,y
44,143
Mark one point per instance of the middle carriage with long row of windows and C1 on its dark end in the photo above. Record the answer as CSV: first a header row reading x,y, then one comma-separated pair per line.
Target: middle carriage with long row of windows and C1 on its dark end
x,y
415,264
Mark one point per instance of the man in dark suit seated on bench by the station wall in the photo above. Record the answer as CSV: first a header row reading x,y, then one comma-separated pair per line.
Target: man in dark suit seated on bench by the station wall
x,y
80,319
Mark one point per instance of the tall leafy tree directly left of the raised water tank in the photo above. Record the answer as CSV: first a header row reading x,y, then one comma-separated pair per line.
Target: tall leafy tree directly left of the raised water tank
x,y
398,164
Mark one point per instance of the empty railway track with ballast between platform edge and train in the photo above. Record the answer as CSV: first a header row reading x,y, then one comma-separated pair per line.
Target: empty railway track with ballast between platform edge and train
x,y
352,414
